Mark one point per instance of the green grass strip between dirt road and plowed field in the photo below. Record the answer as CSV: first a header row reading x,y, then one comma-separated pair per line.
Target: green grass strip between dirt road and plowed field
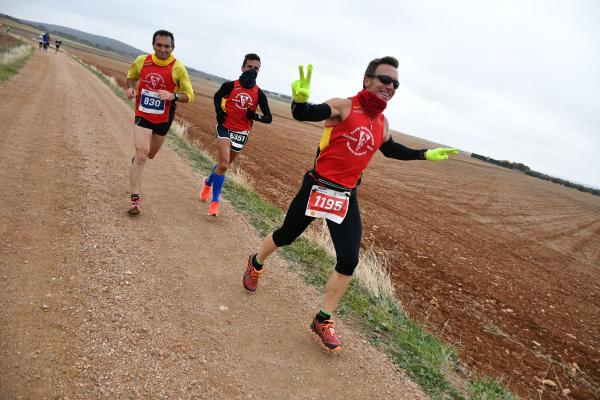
x,y
423,356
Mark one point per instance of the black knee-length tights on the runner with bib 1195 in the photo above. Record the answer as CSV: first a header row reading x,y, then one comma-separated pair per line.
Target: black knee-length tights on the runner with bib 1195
x,y
345,236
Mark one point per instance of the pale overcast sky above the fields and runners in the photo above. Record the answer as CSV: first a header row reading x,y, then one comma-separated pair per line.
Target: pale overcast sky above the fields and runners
x,y
515,80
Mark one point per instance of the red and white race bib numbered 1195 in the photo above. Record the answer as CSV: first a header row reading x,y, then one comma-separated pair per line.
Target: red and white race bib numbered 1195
x,y
327,203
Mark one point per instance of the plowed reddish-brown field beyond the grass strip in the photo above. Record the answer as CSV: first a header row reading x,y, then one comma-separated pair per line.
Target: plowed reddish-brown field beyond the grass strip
x,y
502,265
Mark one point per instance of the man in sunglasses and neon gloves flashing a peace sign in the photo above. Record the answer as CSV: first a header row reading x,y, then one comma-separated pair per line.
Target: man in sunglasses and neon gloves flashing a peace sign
x,y
354,130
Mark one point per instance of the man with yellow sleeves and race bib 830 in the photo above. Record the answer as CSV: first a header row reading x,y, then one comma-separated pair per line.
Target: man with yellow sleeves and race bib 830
x,y
163,81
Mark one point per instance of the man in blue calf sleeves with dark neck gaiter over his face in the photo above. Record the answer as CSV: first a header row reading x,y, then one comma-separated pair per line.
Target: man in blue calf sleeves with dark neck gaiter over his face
x,y
235,105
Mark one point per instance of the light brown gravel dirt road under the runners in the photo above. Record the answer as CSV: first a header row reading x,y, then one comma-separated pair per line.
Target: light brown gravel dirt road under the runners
x,y
95,304
